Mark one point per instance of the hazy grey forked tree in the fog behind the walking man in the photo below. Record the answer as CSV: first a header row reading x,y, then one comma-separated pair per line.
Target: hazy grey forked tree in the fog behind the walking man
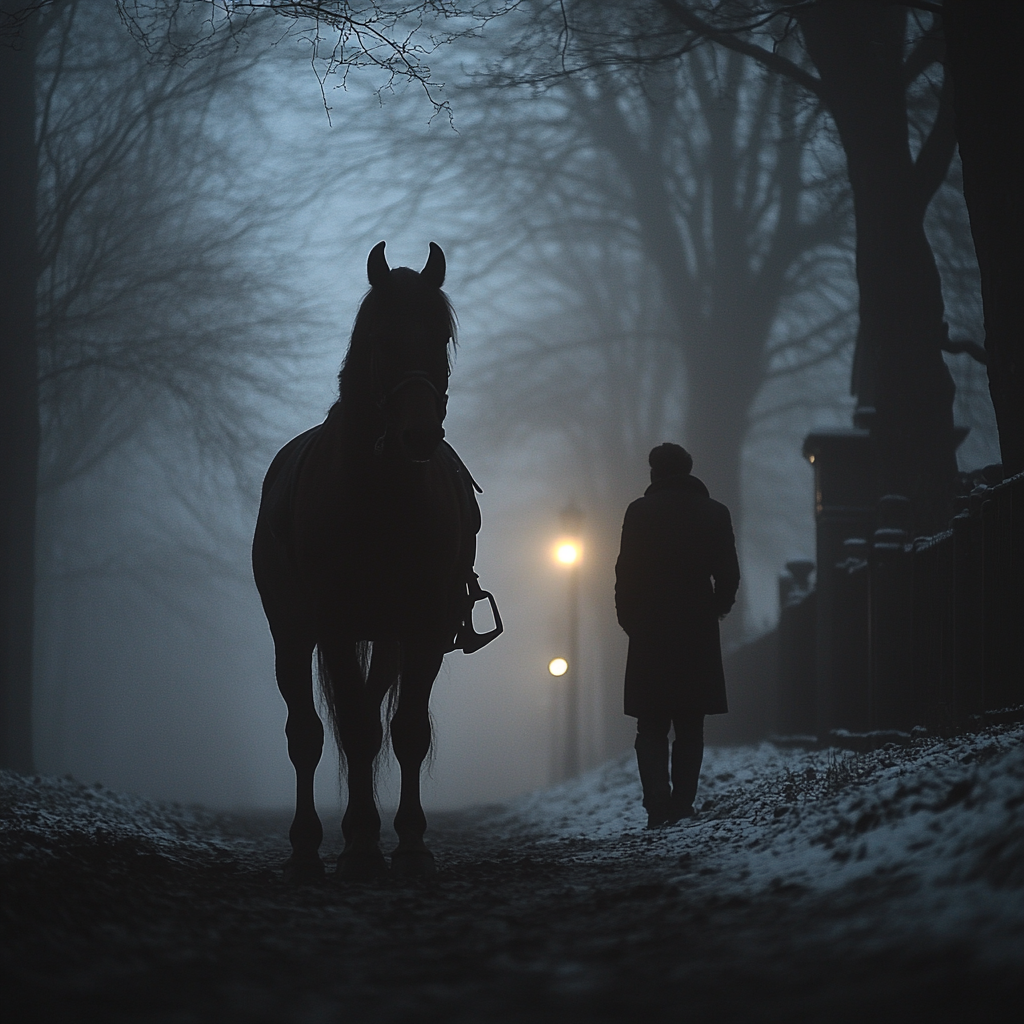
x,y
724,212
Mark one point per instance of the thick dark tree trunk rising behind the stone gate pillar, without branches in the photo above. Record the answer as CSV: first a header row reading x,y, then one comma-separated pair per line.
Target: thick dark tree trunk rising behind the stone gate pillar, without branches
x,y
900,370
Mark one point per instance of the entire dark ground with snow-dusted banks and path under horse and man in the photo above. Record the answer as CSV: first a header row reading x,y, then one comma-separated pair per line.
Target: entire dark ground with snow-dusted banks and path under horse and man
x,y
816,885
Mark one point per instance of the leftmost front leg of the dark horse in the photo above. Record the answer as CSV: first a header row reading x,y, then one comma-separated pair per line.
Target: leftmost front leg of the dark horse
x,y
306,745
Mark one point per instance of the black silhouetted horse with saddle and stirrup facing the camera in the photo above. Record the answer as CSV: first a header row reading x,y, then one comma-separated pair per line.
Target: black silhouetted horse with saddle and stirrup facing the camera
x,y
364,553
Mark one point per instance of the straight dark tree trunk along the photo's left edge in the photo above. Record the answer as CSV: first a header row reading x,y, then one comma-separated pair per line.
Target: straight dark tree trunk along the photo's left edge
x,y
19,394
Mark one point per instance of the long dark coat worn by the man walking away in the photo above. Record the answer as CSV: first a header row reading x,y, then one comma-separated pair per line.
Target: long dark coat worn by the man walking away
x,y
677,573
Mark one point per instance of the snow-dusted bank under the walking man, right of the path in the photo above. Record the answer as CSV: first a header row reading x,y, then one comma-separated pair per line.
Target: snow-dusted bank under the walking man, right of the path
x,y
943,820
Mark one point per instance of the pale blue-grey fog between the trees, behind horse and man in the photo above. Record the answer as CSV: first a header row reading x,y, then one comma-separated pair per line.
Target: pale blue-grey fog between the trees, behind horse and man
x,y
154,664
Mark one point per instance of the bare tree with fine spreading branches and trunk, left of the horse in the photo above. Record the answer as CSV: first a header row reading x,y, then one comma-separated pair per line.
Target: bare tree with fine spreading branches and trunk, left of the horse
x,y
123,273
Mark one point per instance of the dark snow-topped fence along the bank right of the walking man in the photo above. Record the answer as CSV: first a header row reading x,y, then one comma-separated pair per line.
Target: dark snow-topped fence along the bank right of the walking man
x,y
924,633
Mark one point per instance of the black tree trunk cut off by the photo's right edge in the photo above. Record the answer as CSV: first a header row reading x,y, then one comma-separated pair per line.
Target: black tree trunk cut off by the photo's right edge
x,y
984,56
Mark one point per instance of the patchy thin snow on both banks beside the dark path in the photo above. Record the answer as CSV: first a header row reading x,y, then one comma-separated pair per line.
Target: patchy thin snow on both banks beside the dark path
x,y
936,825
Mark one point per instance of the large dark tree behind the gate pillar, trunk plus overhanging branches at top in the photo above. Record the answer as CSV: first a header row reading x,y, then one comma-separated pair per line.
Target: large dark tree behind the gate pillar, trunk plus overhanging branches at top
x,y
865,67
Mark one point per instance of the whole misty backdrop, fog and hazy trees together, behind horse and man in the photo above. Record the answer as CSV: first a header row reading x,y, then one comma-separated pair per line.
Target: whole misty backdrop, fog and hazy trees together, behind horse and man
x,y
635,257
